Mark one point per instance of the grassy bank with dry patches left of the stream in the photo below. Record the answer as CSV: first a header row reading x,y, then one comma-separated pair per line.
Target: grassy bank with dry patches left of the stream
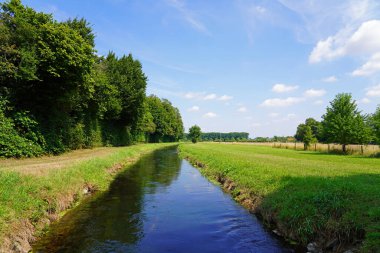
x,y
34,191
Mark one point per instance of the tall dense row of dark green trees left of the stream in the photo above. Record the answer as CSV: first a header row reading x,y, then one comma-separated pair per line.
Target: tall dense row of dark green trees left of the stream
x,y
57,94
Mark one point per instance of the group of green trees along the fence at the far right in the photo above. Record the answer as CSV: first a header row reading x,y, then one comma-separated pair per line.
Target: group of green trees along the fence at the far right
x,y
342,123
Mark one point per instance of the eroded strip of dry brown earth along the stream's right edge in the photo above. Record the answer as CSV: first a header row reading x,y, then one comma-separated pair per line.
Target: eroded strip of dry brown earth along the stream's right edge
x,y
252,202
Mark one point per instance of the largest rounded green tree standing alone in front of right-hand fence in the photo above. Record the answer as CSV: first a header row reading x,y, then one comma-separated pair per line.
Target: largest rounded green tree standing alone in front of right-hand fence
x,y
343,123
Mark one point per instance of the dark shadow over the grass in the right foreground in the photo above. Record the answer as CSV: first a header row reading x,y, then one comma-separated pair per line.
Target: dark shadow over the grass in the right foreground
x,y
334,211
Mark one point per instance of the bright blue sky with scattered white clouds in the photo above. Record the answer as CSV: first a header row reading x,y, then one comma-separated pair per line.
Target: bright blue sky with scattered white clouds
x,y
255,66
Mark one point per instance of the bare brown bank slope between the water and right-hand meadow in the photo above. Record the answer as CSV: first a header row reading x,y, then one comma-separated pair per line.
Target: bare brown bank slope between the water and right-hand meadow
x,y
323,242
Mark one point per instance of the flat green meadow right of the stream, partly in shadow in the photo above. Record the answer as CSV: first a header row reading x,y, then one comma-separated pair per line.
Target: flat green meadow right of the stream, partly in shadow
x,y
309,196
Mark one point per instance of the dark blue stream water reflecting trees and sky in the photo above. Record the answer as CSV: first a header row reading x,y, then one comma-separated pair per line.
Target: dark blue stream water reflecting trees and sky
x,y
162,204
